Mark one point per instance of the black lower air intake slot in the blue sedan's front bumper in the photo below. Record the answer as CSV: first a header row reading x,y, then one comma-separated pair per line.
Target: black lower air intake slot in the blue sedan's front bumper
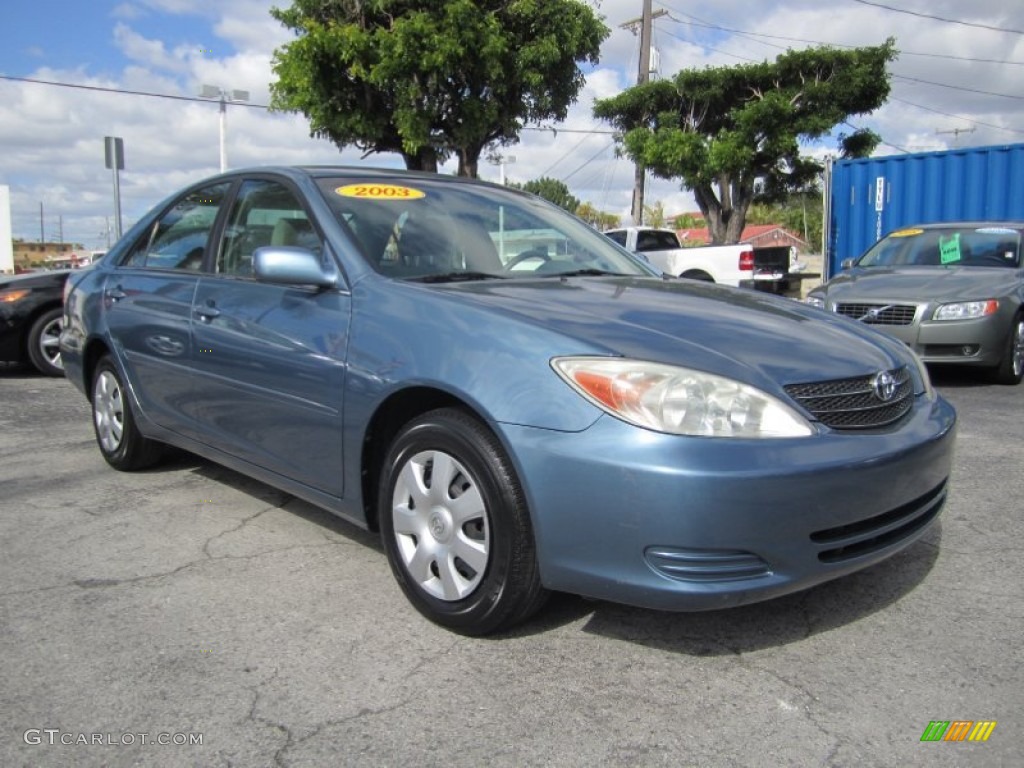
x,y
866,537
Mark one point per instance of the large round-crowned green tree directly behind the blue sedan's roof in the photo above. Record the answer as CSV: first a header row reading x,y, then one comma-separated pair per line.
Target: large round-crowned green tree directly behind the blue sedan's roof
x,y
433,78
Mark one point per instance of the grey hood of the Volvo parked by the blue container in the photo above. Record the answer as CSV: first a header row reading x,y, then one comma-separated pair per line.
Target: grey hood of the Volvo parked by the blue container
x,y
922,284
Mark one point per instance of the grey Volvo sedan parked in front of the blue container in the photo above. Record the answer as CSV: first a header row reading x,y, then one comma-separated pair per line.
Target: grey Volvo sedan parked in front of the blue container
x,y
953,292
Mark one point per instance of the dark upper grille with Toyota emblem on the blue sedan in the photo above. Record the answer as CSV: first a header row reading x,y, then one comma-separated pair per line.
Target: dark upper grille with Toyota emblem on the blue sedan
x,y
854,404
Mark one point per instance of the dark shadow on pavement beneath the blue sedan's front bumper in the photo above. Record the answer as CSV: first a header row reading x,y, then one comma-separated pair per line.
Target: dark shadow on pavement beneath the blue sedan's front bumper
x,y
734,631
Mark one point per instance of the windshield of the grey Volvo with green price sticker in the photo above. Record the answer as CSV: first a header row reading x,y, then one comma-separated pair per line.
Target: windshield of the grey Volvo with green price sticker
x,y
946,247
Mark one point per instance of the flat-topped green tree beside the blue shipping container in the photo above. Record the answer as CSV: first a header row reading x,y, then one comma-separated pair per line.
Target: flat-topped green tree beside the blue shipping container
x,y
733,135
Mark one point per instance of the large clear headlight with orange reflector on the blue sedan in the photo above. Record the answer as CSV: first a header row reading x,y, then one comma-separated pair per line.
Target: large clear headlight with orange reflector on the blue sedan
x,y
680,401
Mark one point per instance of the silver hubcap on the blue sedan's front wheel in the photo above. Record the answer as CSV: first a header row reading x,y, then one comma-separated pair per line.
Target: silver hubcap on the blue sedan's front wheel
x,y
441,526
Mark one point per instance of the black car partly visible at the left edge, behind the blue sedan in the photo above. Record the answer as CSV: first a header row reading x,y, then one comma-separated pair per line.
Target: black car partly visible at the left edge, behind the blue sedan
x,y
31,319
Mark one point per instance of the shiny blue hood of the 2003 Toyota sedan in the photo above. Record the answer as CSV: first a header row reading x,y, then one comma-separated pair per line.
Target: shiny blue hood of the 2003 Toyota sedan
x,y
749,336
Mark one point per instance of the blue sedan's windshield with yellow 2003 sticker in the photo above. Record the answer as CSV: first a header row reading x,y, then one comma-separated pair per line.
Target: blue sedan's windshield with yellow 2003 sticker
x,y
439,231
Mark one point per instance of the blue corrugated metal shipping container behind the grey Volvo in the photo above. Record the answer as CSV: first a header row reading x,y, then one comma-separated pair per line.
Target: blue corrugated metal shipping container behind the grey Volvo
x,y
871,198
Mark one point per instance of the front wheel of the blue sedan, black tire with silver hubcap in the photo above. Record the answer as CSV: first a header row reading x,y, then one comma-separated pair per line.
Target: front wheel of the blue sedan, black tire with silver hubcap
x,y
465,558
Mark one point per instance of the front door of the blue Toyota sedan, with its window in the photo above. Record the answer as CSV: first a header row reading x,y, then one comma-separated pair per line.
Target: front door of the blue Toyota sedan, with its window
x,y
270,360
